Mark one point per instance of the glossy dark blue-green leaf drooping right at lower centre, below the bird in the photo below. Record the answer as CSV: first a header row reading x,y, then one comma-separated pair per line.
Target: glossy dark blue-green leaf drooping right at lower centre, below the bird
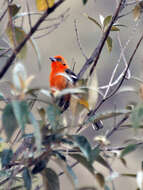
x,y
84,145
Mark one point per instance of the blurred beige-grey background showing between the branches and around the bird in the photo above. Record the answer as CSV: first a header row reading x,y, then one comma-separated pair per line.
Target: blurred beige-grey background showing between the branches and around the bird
x,y
62,41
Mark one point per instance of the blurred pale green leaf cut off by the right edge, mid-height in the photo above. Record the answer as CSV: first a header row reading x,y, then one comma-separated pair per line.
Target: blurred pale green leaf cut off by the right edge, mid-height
x,y
137,116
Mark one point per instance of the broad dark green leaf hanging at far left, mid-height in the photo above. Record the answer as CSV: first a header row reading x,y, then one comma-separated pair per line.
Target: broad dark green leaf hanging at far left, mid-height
x,y
9,121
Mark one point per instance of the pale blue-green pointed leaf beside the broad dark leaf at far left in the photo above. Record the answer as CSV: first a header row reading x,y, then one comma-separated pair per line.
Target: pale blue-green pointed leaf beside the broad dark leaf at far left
x,y
21,112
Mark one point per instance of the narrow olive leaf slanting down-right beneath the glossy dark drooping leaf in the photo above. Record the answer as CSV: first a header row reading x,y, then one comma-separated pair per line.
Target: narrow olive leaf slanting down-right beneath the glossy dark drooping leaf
x,y
82,160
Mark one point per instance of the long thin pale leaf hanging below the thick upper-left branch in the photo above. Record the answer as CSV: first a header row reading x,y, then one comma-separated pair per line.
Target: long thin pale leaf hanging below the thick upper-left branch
x,y
37,51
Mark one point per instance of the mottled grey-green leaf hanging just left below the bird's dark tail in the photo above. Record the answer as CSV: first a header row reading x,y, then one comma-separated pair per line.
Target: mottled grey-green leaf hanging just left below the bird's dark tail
x,y
53,114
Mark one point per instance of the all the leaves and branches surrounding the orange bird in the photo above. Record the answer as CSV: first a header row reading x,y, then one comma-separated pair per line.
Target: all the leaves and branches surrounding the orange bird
x,y
34,136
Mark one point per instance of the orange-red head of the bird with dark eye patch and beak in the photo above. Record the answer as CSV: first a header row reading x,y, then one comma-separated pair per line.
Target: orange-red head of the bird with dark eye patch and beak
x,y
58,63
